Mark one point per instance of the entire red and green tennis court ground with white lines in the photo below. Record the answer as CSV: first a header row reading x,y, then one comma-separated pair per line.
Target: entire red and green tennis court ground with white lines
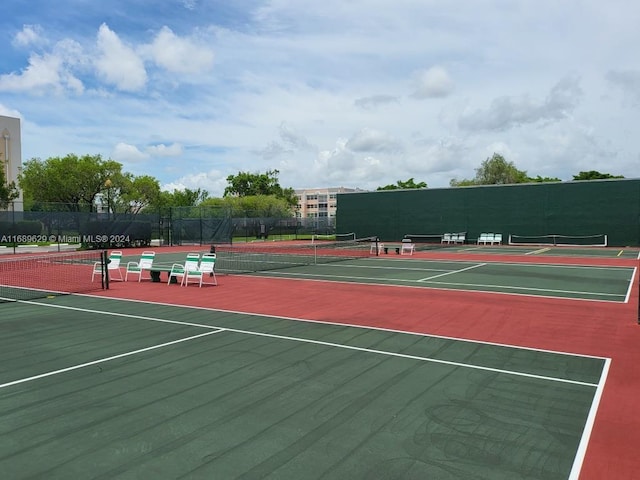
x,y
438,365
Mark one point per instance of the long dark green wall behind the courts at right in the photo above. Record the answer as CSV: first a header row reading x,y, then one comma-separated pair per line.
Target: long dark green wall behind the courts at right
x,y
609,207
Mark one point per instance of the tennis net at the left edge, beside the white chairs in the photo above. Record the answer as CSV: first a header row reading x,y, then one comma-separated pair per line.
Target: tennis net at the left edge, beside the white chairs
x,y
39,276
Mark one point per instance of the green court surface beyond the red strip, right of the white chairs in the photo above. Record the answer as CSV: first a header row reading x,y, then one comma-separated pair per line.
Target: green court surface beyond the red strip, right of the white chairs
x,y
564,281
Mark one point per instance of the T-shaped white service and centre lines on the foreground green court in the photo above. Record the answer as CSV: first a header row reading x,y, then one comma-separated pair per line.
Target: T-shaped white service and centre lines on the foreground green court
x,y
281,337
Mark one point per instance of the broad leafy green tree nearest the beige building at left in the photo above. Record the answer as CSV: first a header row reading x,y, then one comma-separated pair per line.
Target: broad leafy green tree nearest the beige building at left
x,y
72,181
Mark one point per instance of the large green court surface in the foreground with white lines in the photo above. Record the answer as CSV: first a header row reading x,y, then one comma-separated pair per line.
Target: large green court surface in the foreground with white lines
x,y
99,388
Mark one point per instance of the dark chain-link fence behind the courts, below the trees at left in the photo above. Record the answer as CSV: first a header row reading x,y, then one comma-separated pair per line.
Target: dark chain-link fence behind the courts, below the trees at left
x,y
62,224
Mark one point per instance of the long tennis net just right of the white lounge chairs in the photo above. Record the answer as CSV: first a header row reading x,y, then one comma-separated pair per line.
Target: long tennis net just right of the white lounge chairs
x,y
257,257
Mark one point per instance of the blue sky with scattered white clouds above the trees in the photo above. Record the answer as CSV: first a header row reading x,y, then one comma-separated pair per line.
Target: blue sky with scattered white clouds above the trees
x,y
357,93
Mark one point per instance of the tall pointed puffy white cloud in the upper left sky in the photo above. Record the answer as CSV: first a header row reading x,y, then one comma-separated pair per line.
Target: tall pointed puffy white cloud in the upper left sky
x,y
117,63
